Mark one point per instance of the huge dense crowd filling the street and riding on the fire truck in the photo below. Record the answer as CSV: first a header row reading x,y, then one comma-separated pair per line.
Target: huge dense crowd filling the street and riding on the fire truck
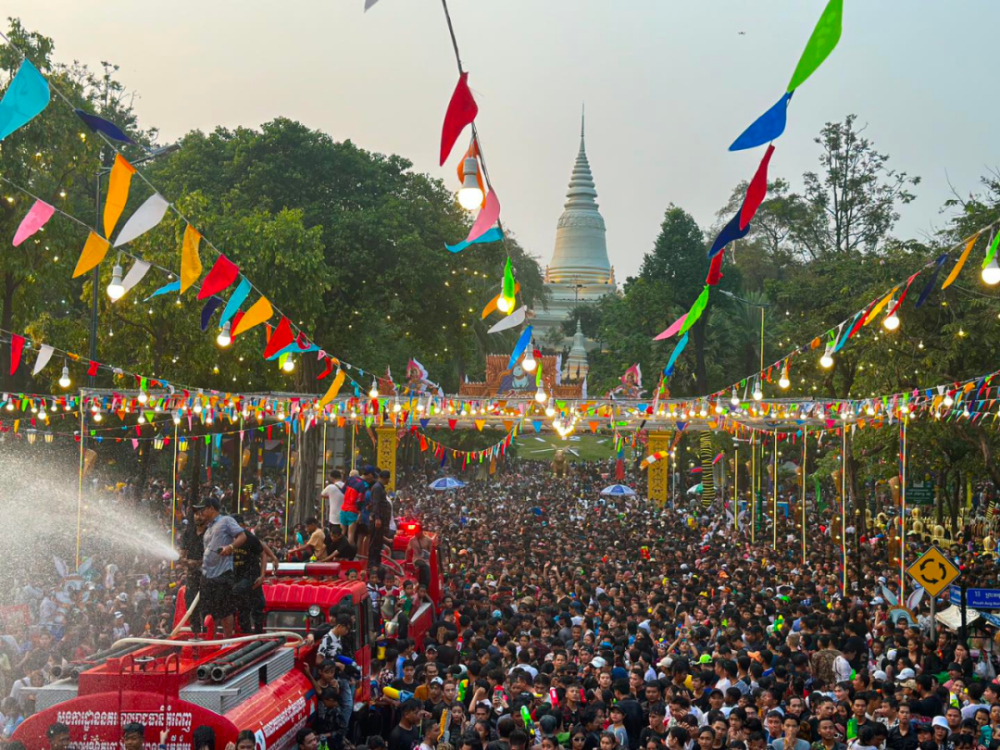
x,y
570,621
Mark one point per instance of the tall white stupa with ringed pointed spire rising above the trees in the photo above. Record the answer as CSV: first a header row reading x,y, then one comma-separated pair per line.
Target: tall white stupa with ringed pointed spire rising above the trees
x,y
579,272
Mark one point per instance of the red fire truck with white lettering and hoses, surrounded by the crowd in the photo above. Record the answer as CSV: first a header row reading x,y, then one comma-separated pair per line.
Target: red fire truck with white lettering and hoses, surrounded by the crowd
x,y
258,684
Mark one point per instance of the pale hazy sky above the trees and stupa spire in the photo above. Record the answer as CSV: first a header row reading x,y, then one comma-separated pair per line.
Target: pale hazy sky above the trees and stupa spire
x,y
668,85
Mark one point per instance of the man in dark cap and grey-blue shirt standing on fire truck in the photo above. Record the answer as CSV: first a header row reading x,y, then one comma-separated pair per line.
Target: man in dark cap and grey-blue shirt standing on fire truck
x,y
222,536
